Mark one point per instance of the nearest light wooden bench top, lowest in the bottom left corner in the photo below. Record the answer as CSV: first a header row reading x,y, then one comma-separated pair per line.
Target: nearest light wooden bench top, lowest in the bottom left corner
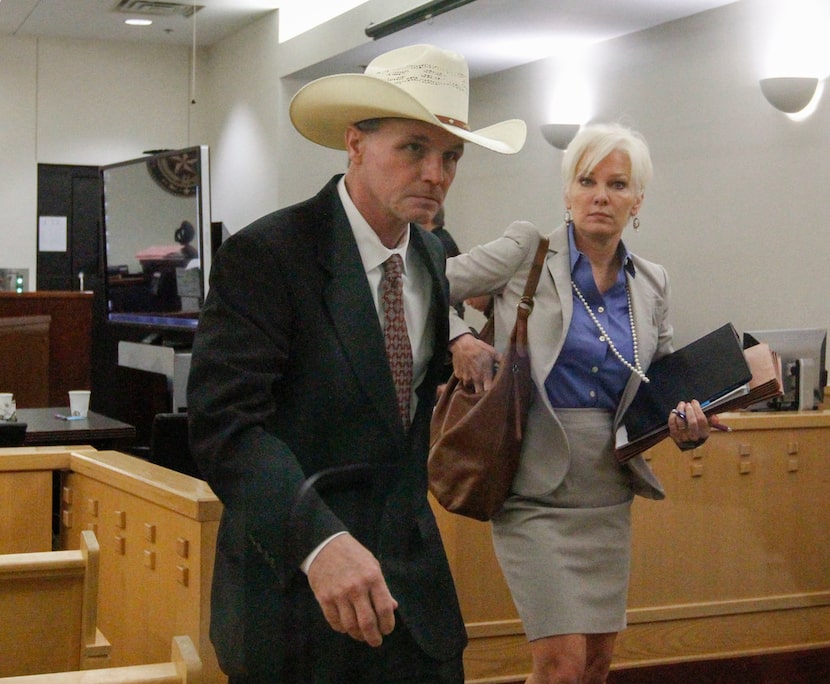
x,y
184,667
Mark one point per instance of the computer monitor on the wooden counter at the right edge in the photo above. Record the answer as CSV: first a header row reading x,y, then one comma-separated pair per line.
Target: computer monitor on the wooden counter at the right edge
x,y
803,373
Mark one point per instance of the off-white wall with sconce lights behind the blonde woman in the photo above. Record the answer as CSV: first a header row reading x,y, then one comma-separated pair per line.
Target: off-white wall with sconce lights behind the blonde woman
x,y
738,210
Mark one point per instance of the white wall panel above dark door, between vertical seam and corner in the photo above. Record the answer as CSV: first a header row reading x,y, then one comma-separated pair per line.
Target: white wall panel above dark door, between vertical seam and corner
x,y
103,102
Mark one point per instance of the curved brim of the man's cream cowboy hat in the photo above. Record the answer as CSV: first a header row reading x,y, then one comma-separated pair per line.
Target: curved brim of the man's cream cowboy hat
x,y
323,110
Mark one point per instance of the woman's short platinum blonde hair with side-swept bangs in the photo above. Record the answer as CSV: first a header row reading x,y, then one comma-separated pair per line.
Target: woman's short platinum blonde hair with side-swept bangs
x,y
594,142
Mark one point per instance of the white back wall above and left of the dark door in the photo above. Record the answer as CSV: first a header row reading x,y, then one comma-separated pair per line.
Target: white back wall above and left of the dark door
x,y
86,103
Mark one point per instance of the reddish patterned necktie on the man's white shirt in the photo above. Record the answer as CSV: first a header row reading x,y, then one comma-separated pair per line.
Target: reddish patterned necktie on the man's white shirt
x,y
395,335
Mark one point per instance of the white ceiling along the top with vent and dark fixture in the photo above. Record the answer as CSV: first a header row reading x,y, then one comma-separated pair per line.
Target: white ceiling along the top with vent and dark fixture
x,y
492,34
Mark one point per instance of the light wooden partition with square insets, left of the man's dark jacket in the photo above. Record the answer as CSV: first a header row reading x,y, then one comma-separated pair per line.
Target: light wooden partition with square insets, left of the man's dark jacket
x,y
157,532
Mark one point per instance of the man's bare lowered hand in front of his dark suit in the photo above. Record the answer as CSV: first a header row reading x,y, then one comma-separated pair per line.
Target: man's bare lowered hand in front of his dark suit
x,y
348,584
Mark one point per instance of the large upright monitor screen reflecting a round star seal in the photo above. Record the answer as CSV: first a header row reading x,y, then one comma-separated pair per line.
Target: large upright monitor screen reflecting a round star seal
x,y
156,230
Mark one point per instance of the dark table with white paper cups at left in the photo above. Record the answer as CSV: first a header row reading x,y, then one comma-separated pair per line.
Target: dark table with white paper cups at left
x,y
102,432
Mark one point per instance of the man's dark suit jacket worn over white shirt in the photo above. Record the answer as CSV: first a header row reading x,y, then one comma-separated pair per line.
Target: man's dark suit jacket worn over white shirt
x,y
289,377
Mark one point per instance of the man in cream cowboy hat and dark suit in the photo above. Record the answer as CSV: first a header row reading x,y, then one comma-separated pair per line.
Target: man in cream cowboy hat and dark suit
x,y
313,433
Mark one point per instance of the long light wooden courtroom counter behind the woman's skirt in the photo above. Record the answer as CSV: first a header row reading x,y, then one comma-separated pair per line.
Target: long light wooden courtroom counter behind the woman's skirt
x,y
735,561
